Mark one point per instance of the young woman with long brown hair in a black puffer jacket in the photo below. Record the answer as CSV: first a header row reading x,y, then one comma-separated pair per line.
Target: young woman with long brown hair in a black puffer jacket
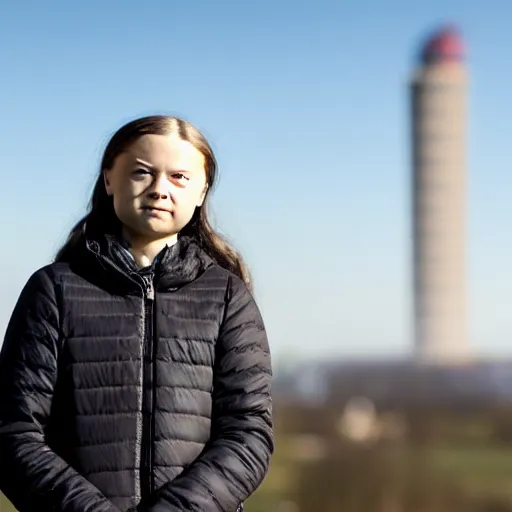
x,y
135,372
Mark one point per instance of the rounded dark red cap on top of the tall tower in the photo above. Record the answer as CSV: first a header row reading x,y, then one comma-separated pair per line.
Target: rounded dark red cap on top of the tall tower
x,y
442,46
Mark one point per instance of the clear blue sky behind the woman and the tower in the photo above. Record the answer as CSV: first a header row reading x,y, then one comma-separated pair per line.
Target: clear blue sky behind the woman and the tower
x,y
306,106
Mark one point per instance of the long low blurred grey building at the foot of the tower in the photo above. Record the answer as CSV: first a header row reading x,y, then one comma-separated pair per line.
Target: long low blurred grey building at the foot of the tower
x,y
404,384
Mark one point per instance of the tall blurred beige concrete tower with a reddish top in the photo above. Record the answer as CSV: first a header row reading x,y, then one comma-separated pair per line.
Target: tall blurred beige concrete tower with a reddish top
x,y
439,199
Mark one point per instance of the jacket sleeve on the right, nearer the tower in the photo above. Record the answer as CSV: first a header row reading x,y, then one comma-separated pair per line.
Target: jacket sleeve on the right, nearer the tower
x,y
236,460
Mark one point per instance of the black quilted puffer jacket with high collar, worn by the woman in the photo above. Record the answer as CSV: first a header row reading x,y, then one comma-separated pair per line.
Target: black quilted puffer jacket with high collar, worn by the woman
x,y
122,388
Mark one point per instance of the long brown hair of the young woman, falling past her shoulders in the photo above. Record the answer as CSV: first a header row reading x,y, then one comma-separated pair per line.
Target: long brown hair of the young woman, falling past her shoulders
x,y
102,219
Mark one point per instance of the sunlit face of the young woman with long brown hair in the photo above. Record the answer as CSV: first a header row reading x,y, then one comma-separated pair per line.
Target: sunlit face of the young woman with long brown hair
x,y
156,185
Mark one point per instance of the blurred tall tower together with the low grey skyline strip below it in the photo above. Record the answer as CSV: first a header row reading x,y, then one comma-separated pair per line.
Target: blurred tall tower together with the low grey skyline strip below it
x,y
441,368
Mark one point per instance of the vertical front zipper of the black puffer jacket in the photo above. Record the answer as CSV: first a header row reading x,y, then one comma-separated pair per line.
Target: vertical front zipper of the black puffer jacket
x,y
143,454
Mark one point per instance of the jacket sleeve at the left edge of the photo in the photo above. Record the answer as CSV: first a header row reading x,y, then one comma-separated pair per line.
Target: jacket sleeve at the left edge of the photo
x,y
32,476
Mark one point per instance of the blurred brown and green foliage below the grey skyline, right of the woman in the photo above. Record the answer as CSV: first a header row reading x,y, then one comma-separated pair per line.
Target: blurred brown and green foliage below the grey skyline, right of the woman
x,y
443,460
